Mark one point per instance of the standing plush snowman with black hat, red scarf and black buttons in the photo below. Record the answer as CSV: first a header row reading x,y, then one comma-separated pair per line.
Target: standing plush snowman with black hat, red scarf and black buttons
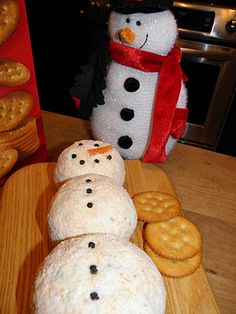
x,y
143,111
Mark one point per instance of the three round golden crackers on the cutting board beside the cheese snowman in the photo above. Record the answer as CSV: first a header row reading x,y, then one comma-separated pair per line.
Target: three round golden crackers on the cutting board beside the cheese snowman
x,y
173,242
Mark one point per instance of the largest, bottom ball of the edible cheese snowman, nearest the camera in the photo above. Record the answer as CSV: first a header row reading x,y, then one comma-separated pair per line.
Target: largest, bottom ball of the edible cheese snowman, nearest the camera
x,y
126,281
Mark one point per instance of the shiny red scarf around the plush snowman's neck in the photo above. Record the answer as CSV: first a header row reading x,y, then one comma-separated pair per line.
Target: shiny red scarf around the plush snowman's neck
x,y
167,119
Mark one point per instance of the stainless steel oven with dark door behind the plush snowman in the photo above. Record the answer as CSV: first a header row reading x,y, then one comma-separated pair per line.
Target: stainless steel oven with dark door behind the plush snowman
x,y
207,37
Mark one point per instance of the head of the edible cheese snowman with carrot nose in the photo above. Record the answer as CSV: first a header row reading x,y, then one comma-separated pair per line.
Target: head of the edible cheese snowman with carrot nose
x,y
67,167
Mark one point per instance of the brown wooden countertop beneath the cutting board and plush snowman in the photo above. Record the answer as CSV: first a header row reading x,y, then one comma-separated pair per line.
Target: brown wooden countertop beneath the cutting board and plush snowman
x,y
205,183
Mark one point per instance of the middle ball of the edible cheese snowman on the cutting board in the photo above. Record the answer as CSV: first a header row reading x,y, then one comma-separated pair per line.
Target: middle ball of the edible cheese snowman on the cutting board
x,y
112,212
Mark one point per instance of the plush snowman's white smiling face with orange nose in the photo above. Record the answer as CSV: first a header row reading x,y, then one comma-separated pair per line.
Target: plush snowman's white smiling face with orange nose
x,y
154,32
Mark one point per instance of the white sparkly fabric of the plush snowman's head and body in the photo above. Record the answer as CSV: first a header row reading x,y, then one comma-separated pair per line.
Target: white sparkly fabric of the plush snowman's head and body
x,y
107,124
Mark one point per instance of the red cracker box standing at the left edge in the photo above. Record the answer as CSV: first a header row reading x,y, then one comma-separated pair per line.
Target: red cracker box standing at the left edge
x,y
17,46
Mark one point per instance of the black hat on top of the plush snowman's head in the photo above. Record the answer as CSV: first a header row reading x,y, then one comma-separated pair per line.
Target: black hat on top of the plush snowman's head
x,y
140,6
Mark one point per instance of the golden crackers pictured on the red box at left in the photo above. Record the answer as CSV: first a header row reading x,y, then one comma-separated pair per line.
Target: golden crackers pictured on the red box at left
x,y
18,131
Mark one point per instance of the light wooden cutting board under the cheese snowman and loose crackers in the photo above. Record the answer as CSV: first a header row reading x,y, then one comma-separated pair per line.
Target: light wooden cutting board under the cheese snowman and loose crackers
x,y
24,238
